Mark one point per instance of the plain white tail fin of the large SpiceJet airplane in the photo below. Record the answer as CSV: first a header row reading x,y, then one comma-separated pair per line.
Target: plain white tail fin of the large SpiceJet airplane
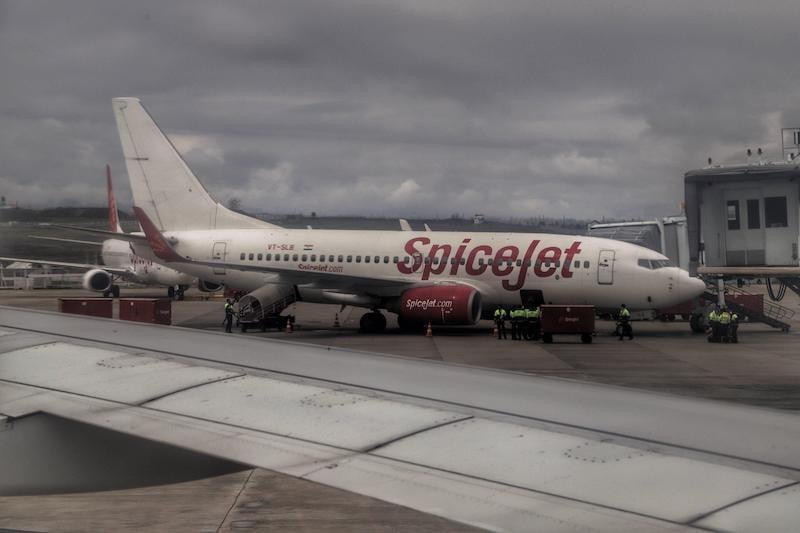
x,y
163,186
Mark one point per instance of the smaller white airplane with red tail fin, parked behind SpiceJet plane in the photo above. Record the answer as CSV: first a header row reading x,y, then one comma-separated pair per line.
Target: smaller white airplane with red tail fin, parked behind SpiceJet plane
x,y
120,261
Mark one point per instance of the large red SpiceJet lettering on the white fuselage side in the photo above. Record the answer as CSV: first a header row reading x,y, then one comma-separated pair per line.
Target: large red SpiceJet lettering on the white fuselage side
x,y
476,260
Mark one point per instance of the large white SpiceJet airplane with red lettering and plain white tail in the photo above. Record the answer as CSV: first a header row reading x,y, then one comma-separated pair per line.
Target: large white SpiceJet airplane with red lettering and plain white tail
x,y
438,277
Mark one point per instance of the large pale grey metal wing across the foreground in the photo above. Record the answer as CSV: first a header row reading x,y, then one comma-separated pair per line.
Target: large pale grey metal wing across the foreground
x,y
493,449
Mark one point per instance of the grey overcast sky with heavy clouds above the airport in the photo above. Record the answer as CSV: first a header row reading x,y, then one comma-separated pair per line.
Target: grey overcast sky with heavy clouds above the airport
x,y
586,109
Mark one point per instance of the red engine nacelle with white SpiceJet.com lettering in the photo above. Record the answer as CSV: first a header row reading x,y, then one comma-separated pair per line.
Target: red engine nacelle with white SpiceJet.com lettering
x,y
439,304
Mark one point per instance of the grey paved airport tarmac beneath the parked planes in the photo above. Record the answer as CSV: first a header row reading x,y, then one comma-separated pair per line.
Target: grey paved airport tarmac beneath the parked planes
x,y
762,369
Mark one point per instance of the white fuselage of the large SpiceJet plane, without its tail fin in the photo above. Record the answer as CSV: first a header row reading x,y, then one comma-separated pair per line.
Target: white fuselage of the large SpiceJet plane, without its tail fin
x,y
567,269
